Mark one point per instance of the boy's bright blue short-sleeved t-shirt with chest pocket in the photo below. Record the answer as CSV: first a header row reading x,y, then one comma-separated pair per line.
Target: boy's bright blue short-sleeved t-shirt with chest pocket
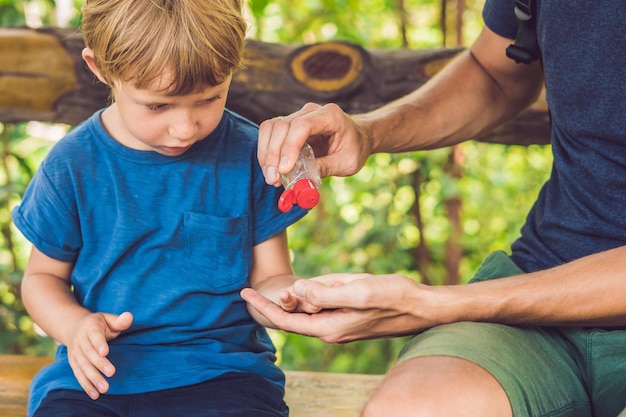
x,y
167,238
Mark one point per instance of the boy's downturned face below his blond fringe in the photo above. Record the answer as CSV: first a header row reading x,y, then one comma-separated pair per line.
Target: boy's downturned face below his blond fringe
x,y
148,119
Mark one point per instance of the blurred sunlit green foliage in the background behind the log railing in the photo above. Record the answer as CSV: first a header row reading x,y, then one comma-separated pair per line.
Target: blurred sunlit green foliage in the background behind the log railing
x,y
364,223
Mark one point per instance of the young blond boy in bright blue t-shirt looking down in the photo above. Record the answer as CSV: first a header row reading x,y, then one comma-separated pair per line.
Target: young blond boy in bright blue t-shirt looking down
x,y
146,222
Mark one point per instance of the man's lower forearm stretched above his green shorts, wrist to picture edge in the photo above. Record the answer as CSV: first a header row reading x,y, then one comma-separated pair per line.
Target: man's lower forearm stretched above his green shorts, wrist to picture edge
x,y
586,292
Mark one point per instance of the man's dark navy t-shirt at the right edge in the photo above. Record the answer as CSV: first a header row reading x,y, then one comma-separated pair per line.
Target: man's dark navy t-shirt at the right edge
x,y
579,211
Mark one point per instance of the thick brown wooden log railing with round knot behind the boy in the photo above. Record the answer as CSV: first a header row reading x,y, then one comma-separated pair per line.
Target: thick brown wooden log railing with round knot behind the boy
x,y
43,77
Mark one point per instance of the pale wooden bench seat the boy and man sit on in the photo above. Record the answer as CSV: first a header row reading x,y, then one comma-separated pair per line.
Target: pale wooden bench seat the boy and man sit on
x,y
308,394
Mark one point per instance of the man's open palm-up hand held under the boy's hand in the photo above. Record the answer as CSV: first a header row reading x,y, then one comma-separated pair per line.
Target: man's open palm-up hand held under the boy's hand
x,y
352,307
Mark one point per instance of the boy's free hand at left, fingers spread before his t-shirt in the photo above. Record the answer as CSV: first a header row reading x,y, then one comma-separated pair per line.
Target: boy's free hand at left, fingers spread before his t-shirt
x,y
88,349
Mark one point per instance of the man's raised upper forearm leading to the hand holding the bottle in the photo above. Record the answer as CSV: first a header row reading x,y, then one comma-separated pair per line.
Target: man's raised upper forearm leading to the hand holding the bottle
x,y
474,94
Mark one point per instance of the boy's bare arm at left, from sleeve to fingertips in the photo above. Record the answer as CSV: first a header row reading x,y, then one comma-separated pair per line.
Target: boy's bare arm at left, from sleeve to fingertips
x,y
47,295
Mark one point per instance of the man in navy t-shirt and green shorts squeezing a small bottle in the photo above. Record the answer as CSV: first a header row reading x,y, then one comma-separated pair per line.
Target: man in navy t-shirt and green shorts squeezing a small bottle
x,y
550,338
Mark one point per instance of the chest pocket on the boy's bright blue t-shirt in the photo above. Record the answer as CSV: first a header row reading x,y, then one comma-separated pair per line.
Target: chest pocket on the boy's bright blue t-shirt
x,y
217,251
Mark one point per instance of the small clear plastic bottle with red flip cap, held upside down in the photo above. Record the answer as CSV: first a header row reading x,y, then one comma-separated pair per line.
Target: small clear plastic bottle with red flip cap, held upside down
x,y
301,182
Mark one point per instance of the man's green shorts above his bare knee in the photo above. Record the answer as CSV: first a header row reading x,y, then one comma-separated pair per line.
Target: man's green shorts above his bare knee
x,y
545,371
